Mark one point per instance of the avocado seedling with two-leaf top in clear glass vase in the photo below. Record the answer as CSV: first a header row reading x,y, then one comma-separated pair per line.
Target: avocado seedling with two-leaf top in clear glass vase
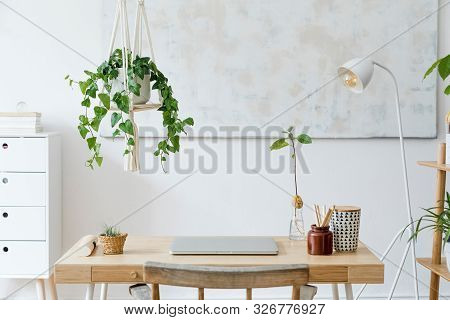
x,y
297,228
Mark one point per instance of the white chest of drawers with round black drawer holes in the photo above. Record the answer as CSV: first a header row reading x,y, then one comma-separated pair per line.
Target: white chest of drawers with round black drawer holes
x,y
30,206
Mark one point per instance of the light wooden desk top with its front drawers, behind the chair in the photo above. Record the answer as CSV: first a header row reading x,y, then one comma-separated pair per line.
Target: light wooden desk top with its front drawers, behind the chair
x,y
361,266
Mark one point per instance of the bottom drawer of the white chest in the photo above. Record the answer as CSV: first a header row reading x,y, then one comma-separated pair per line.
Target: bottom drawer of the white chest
x,y
23,257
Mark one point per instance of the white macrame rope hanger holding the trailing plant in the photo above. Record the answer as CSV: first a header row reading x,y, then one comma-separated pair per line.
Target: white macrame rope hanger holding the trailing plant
x,y
132,159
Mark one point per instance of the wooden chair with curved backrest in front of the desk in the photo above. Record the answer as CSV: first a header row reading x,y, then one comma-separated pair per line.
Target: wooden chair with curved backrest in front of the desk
x,y
212,277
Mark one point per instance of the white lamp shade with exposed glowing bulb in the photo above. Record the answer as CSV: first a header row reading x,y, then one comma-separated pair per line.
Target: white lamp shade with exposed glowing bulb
x,y
356,74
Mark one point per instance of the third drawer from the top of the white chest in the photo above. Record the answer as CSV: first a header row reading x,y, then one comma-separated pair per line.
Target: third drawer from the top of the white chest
x,y
27,223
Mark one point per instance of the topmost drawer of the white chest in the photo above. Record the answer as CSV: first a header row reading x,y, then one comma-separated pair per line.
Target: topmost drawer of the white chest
x,y
23,154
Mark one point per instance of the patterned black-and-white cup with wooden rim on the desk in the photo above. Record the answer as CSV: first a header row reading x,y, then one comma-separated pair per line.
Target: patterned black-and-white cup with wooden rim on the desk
x,y
345,227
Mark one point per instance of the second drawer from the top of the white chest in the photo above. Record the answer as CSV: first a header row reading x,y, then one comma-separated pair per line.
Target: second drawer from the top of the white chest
x,y
22,189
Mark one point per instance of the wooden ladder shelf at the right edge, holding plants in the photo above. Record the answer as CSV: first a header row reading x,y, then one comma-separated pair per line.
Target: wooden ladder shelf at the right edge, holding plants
x,y
436,264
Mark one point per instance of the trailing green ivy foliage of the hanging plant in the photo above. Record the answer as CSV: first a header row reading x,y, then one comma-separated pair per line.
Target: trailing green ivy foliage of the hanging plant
x,y
97,104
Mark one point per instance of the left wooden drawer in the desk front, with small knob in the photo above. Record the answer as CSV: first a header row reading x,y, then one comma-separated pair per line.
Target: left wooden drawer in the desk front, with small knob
x,y
125,274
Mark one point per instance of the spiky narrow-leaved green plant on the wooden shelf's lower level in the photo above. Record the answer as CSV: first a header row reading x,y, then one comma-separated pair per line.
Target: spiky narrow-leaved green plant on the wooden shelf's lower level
x,y
432,220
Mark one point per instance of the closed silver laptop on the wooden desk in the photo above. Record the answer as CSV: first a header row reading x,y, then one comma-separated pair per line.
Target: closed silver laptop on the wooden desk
x,y
224,245
